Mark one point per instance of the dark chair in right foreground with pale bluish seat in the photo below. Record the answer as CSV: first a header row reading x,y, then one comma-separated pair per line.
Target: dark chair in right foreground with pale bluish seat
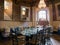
x,y
47,35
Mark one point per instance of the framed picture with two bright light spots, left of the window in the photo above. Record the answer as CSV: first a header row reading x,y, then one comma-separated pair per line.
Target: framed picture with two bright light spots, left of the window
x,y
25,13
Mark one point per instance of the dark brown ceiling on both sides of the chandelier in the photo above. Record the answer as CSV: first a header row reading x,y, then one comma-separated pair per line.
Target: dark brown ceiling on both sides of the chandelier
x,y
32,2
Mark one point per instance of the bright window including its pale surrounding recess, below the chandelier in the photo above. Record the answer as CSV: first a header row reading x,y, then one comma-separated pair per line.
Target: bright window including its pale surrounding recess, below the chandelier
x,y
43,14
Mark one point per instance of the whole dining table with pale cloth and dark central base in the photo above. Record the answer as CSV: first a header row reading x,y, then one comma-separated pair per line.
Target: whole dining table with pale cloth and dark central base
x,y
29,32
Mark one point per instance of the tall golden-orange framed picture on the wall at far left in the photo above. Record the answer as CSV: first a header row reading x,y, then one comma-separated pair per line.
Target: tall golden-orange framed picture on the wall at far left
x,y
7,10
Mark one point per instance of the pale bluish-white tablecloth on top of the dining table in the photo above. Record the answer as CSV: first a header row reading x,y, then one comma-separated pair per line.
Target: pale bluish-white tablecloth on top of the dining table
x,y
30,31
